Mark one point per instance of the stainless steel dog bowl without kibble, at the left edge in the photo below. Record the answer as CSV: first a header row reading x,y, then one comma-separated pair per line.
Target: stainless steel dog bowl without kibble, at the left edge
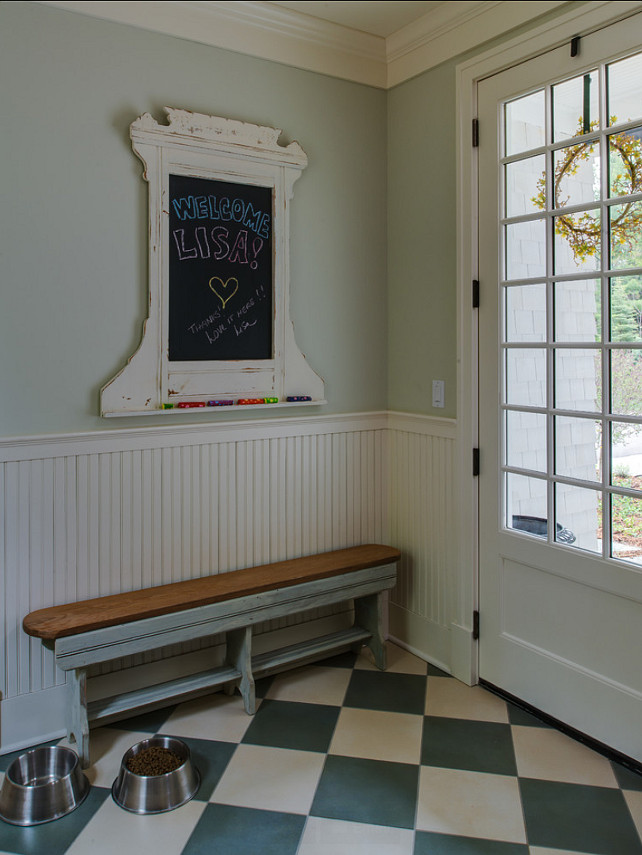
x,y
42,785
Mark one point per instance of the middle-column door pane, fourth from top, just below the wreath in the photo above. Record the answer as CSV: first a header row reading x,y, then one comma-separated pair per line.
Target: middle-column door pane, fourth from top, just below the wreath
x,y
578,315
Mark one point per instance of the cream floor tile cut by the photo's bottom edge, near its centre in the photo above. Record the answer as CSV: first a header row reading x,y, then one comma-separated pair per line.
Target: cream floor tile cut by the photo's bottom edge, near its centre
x,y
334,837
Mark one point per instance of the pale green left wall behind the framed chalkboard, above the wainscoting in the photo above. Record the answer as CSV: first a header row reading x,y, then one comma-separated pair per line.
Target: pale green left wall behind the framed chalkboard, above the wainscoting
x,y
73,219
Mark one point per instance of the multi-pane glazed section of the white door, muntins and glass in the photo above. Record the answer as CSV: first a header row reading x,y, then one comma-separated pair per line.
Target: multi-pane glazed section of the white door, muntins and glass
x,y
571,348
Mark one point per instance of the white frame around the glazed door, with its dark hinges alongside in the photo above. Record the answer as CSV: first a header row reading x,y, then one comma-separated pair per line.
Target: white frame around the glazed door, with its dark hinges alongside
x,y
465,588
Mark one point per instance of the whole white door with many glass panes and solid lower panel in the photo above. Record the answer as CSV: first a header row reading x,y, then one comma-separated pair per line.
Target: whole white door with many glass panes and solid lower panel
x,y
560,373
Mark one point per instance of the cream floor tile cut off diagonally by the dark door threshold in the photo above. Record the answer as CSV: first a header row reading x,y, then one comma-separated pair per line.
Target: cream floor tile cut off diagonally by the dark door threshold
x,y
542,752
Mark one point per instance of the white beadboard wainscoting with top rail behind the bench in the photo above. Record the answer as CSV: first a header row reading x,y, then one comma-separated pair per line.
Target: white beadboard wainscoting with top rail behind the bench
x,y
92,514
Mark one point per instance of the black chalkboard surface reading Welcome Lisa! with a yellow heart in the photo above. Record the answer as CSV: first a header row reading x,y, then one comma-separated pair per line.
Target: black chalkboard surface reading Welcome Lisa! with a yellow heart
x,y
220,270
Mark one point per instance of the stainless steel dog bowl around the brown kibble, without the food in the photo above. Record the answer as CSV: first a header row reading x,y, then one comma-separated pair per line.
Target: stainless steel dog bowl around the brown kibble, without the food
x,y
156,793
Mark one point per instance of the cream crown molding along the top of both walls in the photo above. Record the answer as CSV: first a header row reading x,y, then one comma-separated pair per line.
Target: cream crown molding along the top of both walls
x,y
271,32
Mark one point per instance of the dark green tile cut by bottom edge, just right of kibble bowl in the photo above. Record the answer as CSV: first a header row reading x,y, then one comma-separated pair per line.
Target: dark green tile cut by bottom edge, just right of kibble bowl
x,y
228,830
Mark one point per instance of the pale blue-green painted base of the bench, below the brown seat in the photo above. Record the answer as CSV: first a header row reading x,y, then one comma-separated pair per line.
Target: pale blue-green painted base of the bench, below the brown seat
x,y
234,619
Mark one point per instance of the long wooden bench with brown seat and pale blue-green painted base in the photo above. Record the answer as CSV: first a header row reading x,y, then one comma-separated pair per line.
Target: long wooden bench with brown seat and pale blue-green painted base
x,y
99,630
